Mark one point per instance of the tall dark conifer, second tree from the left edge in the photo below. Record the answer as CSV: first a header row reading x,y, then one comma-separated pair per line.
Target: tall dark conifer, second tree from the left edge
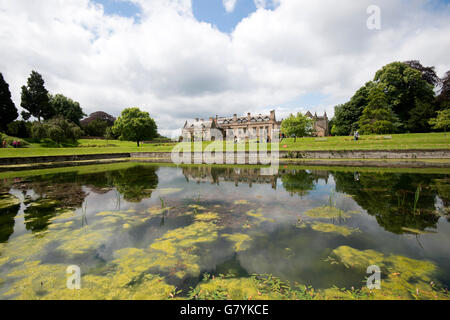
x,y
35,99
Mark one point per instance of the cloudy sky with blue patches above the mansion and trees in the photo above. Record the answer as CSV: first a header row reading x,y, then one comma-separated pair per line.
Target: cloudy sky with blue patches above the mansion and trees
x,y
183,59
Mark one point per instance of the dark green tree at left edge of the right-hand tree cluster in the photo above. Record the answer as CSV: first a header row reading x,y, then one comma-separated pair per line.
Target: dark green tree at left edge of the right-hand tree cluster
x,y
346,116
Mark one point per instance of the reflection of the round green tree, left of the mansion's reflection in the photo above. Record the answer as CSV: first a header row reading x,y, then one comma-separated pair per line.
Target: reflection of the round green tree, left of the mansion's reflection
x,y
136,183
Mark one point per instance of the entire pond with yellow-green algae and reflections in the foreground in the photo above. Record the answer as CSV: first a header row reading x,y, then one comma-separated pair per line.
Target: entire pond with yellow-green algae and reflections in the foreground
x,y
147,231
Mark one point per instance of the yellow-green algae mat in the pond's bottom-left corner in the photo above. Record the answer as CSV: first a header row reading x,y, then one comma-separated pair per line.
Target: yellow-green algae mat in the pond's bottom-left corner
x,y
49,282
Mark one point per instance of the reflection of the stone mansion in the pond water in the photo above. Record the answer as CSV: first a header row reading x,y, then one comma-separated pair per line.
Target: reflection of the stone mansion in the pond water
x,y
237,175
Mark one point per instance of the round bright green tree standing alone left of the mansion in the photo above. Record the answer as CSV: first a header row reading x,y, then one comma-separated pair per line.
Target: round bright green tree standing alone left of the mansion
x,y
135,125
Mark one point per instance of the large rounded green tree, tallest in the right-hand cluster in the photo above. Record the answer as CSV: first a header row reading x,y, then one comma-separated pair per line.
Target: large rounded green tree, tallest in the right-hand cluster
x,y
406,90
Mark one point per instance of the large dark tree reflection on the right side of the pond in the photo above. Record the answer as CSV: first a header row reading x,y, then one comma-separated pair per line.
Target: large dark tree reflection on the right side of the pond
x,y
390,198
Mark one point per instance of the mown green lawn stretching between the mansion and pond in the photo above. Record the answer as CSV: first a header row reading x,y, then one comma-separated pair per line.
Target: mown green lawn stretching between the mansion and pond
x,y
373,142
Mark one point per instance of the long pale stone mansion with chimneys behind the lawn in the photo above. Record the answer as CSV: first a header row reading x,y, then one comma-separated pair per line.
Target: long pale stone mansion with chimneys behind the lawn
x,y
247,127
